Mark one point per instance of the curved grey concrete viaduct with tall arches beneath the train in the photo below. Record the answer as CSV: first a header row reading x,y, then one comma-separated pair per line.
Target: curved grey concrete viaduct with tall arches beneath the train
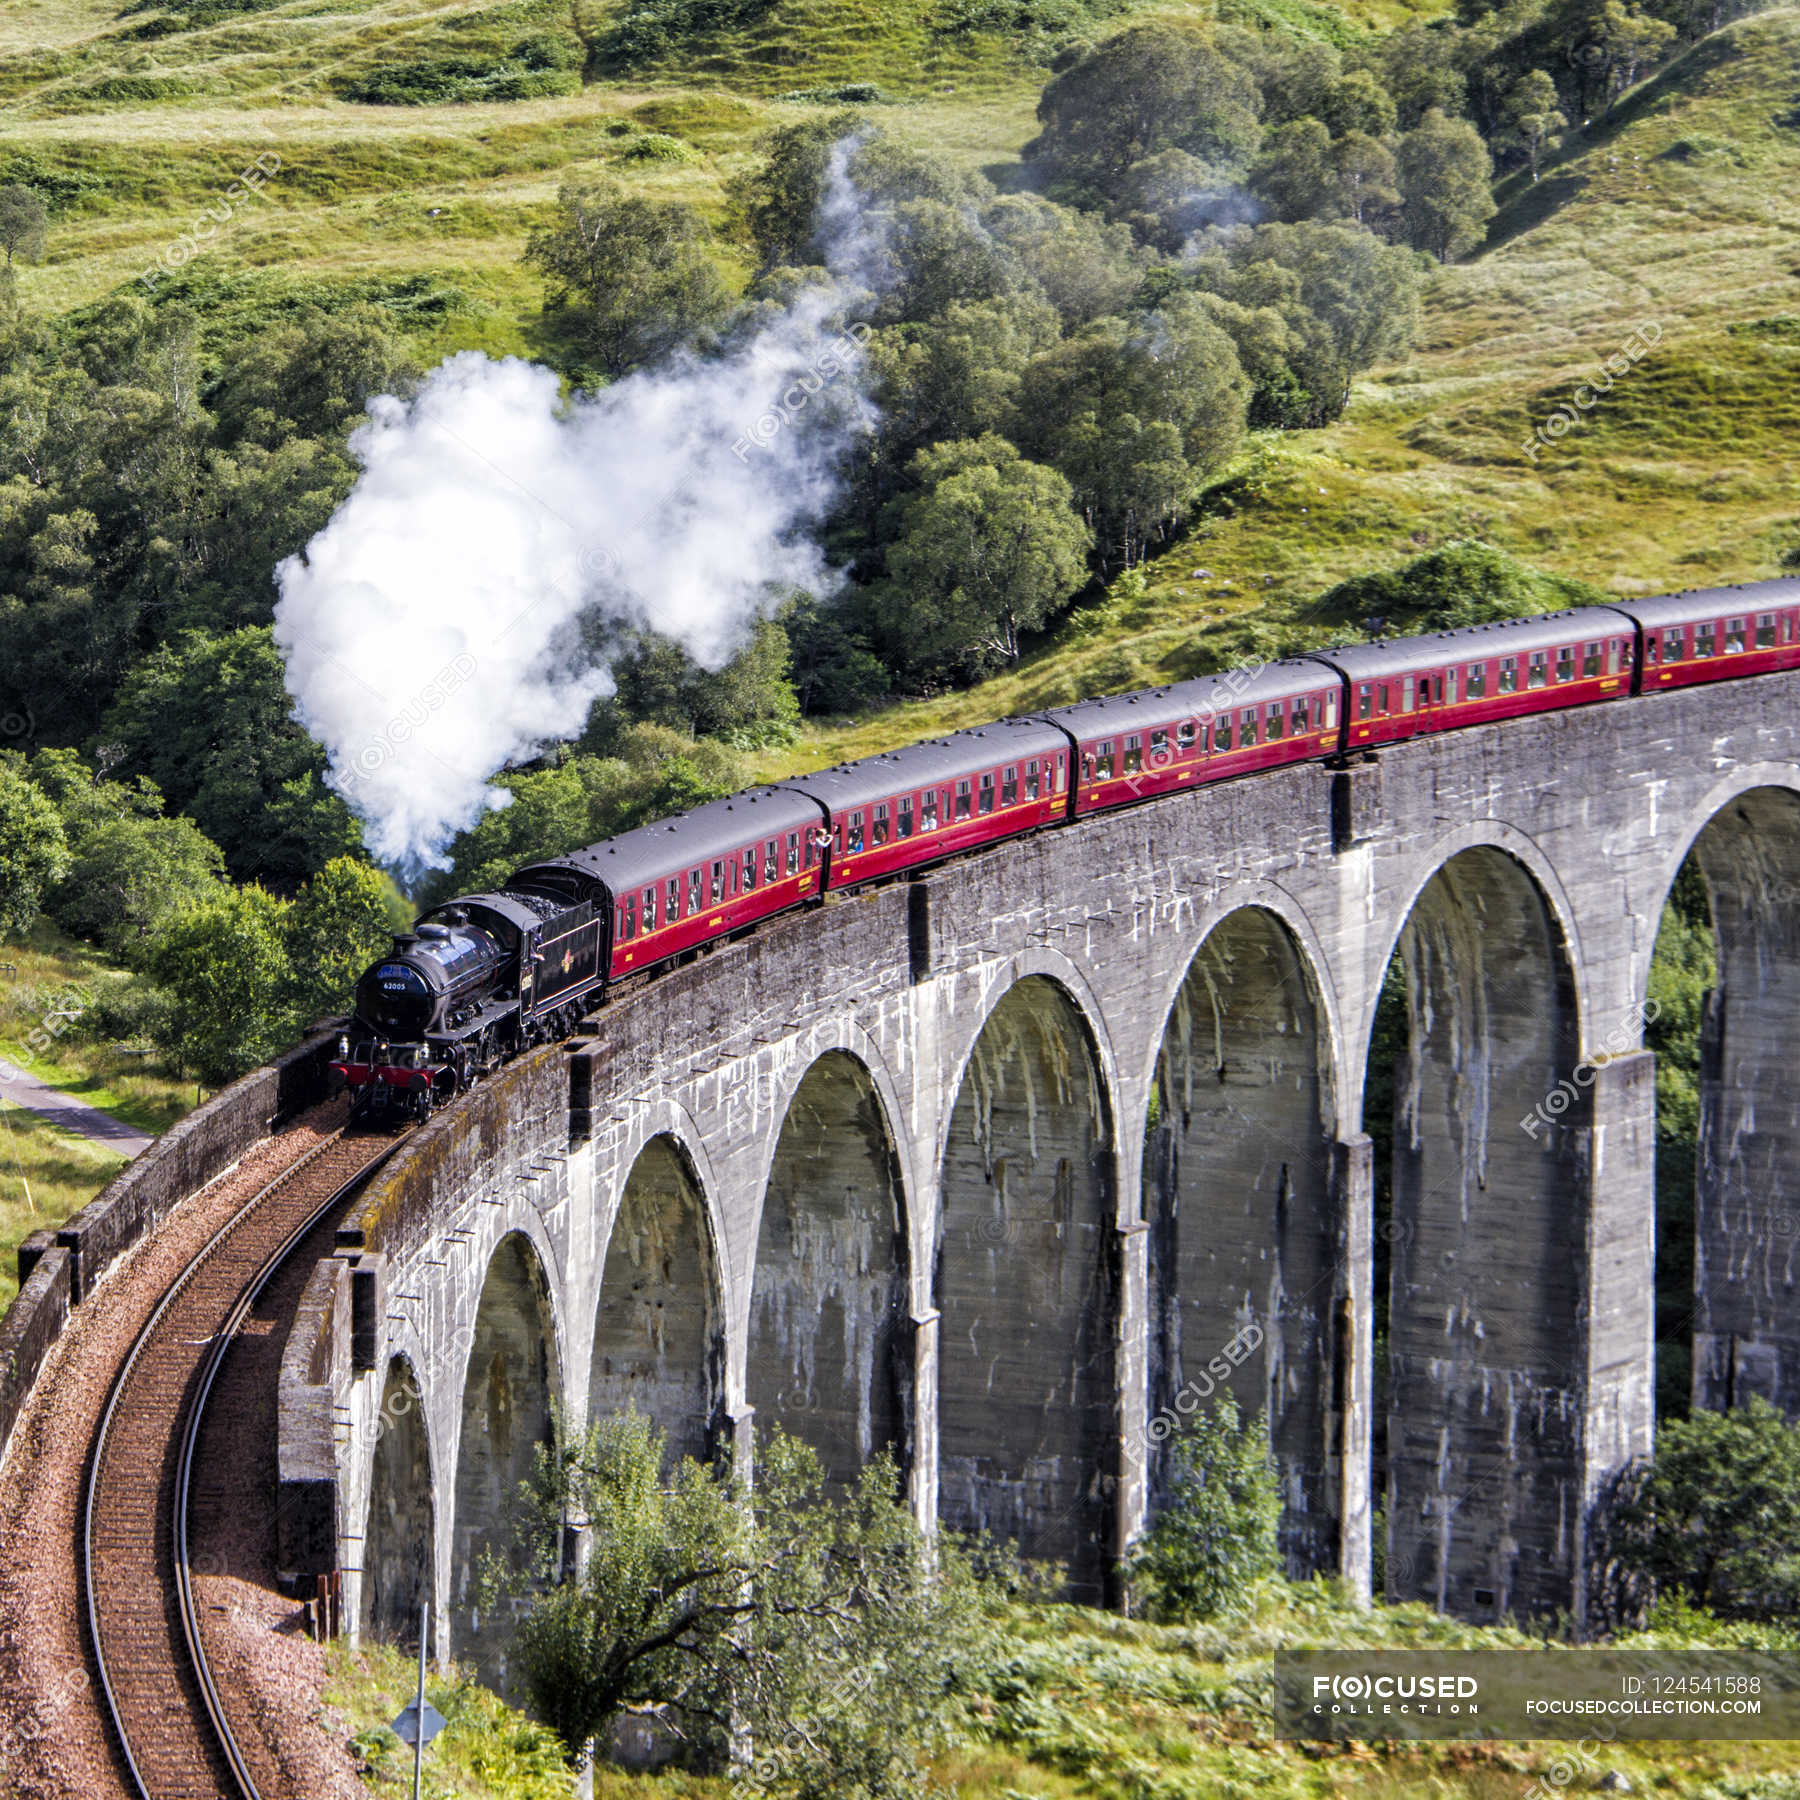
x,y
991,1165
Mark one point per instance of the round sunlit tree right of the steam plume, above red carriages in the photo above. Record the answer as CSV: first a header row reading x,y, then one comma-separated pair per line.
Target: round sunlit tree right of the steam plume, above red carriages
x,y
982,553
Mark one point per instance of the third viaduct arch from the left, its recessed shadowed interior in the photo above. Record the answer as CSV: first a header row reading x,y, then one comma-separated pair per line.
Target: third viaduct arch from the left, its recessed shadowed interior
x,y
660,1331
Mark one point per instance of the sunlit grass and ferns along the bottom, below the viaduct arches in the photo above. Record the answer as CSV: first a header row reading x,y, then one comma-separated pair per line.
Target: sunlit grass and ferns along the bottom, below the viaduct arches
x,y
1106,1709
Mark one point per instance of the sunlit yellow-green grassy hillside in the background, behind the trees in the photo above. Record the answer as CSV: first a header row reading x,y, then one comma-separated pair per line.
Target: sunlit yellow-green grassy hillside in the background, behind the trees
x,y
1678,211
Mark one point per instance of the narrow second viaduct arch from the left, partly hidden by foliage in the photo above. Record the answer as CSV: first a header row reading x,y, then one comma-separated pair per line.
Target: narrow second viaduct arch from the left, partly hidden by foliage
x,y
510,1394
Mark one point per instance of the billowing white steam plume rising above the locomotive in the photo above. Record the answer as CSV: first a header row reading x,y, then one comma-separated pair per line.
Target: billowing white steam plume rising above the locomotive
x,y
433,629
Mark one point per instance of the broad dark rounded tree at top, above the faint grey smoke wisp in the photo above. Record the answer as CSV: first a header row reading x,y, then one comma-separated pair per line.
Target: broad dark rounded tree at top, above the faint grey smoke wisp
x,y
1144,91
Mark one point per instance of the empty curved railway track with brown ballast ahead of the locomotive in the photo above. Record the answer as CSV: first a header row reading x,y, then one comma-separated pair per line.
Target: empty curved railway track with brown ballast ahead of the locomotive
x,y
165,1707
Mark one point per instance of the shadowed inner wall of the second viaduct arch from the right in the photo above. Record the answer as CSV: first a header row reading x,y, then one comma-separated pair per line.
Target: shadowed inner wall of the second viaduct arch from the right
x,y
1484,1444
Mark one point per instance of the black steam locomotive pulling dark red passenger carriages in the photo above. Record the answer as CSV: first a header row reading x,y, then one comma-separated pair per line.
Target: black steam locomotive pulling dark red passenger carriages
x,y
485,976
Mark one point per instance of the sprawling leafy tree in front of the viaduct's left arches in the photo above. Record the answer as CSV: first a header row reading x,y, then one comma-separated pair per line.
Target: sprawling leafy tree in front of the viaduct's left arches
x,y
814,1624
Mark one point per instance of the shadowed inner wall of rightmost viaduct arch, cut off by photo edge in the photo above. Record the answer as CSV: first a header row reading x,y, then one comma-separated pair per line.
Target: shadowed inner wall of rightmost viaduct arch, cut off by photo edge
x,y
1747,1185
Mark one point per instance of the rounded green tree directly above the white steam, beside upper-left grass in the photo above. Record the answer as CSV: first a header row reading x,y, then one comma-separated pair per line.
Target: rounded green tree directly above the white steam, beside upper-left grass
x,y
629,274
